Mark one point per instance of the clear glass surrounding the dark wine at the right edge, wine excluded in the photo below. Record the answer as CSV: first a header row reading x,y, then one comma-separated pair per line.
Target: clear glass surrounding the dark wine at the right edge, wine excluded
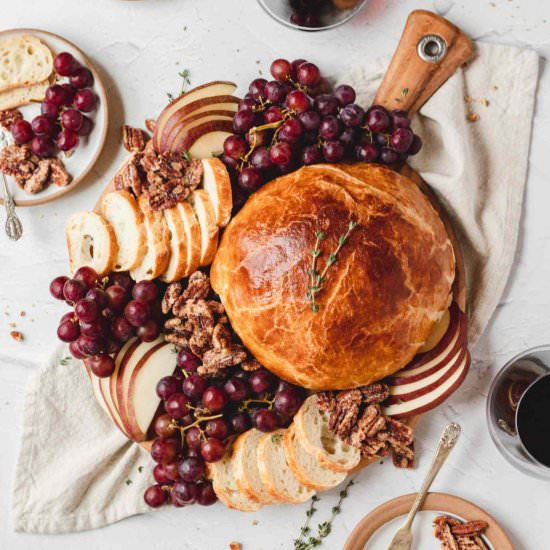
x,y
507,389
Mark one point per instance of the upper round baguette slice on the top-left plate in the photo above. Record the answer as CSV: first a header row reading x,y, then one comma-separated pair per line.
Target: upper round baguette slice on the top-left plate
x,y
24,61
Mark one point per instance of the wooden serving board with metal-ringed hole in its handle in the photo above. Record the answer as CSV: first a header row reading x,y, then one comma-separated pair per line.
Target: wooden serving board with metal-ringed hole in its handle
x,y
408,83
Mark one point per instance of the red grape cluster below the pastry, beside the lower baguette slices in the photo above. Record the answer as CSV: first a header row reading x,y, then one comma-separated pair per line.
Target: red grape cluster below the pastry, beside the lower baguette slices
x,y
197,417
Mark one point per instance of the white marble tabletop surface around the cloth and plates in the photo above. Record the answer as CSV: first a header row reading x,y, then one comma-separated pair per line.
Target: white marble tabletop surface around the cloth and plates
x,y
139,48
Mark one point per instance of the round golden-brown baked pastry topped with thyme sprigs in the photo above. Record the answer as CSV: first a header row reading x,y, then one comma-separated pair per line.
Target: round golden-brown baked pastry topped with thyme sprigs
x,y
377,303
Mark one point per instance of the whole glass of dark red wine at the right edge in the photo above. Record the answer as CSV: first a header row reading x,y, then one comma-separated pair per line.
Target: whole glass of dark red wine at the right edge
x,y
518,411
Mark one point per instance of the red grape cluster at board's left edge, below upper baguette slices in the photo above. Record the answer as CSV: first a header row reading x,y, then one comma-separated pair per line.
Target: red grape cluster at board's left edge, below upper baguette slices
x,y
106,313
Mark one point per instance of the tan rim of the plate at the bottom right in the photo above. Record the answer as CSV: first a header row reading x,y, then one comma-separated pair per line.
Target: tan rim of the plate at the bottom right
x,y
435,502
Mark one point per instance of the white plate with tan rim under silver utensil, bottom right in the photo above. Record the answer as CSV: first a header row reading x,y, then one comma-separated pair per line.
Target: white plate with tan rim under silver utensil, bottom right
x,y
376,530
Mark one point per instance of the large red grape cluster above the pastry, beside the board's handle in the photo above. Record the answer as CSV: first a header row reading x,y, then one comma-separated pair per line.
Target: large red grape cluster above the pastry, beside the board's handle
x,y
295,120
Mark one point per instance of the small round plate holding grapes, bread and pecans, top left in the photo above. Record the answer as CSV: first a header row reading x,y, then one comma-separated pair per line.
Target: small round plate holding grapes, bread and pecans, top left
x,y
89,149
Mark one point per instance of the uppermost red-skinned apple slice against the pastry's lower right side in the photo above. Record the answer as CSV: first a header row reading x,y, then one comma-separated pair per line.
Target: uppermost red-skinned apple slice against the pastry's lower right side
x,y
427,363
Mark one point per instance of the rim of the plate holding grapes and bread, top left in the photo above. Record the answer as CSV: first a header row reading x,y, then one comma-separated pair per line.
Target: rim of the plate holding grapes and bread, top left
x,y
103,137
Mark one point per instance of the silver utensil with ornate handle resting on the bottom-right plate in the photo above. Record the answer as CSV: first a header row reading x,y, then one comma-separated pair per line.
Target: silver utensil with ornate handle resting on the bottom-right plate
x,y
403,538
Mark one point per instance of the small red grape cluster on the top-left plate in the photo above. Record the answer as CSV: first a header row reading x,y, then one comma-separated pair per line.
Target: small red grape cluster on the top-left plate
x,y
61,122
